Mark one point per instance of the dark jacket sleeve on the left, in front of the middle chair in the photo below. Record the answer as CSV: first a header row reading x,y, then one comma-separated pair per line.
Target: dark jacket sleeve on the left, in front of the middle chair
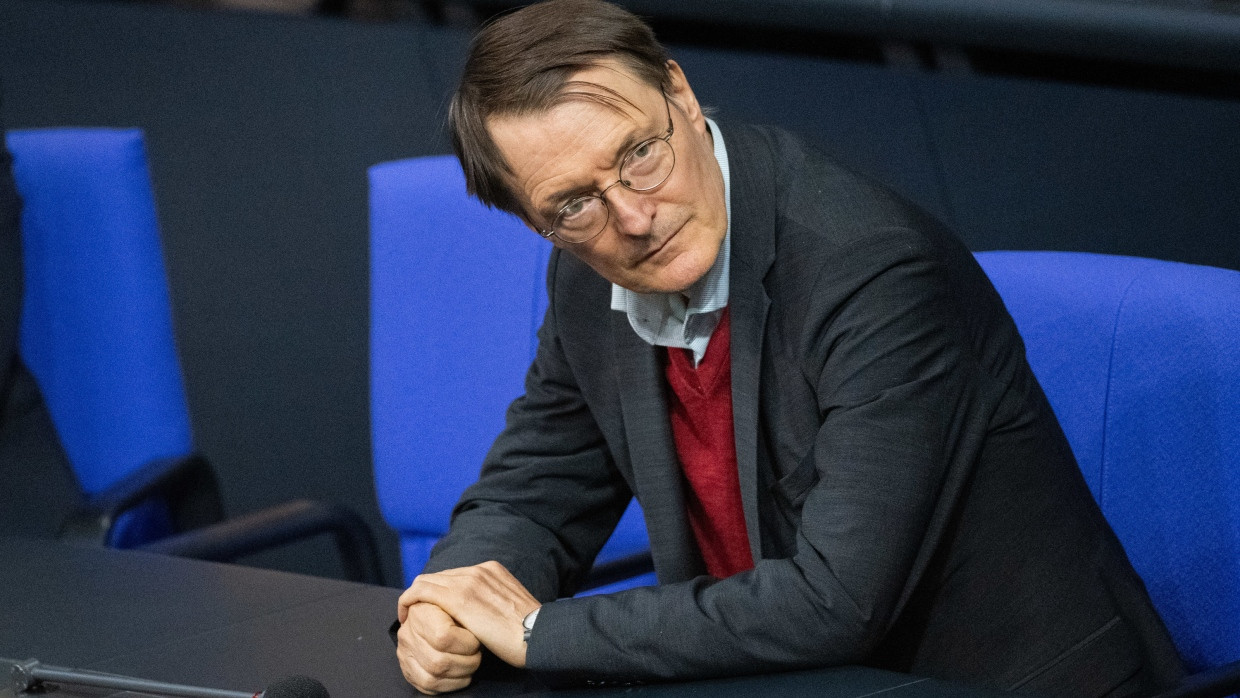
x,y
549,495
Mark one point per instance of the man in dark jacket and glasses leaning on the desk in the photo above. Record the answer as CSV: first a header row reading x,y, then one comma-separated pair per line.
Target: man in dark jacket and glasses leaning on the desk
x,y
809,385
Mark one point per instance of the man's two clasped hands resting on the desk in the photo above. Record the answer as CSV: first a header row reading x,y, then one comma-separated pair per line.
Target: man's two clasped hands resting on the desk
x,y
447,618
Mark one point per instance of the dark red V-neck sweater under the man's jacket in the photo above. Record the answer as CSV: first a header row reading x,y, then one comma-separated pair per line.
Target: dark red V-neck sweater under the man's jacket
x,y
701,415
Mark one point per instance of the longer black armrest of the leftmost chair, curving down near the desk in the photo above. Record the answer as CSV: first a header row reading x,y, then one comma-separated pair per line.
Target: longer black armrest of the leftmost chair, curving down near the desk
x,y
280,525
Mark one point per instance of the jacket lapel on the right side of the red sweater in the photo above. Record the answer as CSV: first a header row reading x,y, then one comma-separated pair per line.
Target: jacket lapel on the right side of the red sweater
x,y
753,252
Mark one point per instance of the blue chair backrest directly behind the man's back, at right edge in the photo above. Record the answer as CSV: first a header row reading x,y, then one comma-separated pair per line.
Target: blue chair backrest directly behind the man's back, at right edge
x,y
1141,361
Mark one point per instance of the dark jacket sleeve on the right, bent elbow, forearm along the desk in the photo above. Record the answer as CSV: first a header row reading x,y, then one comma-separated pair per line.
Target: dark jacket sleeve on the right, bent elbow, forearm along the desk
x,y
901,406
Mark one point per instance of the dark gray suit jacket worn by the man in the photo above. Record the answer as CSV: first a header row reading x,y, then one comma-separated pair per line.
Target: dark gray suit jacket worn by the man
x,y
910,497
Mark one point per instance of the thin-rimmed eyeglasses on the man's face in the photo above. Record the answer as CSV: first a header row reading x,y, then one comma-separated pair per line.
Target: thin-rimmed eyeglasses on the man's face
x,y
644,168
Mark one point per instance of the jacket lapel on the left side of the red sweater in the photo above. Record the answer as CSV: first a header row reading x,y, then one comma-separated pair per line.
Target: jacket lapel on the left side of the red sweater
x,y
657,470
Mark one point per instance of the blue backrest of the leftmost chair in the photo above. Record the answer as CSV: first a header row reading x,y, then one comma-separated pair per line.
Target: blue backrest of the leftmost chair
x,y
96,328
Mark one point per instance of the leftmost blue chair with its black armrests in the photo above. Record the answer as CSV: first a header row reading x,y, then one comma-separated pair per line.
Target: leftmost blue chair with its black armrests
x,y
97,335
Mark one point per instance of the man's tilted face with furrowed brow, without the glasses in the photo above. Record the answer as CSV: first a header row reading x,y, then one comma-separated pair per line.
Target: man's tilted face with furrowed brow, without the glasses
x,y
663,240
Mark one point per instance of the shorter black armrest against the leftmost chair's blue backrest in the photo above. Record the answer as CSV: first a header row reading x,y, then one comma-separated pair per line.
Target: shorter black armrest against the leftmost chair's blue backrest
x,y
188,485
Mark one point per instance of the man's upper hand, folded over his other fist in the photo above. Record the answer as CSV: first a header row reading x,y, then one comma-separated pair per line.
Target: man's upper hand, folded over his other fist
x,y
485,601
